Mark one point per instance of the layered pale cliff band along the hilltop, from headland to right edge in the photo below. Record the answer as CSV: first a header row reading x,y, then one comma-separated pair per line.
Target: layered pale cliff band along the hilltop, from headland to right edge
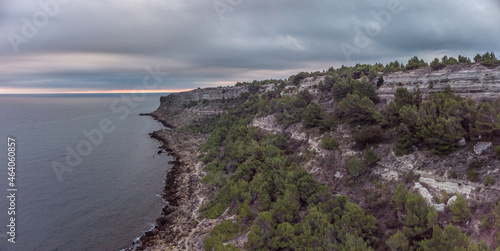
x,y
474,81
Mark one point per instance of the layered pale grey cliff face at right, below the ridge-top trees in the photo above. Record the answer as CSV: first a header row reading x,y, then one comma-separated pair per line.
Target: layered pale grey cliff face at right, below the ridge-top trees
x,y
470,81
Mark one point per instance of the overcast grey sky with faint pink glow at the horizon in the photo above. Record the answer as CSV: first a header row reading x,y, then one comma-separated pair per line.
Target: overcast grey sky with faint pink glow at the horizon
x,y
163,46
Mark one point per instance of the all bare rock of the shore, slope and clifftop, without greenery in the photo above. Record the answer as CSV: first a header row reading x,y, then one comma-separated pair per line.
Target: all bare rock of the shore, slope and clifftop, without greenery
x,y
181,228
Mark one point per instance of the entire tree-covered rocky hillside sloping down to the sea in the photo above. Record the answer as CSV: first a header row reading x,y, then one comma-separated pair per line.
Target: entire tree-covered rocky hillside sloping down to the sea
x,y
326,160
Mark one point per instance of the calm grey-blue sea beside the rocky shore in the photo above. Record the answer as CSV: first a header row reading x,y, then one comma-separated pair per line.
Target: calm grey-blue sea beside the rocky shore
x,y
109,199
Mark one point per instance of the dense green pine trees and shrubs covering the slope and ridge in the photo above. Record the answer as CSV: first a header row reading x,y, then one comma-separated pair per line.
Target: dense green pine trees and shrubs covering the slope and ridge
x,y
280,206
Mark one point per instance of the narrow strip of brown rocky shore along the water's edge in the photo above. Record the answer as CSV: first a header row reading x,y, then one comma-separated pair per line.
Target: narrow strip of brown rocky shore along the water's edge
x,y
183,192
